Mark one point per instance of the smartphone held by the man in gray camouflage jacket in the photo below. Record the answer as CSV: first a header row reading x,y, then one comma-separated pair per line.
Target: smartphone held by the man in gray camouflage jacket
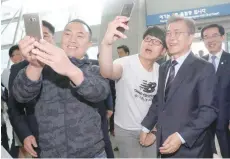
x,y
33,25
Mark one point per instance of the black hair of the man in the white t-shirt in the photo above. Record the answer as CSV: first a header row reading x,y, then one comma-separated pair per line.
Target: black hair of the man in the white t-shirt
x,y
156,32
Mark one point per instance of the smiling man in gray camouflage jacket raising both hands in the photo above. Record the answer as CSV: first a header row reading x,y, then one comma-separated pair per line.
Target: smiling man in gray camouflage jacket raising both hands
x,y
66,87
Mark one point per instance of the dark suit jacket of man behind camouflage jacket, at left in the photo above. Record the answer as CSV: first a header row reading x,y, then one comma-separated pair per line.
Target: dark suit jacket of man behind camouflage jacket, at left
x,y
21,115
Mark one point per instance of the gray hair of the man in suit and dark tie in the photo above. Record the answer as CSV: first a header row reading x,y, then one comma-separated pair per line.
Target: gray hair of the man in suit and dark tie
x,y
188,21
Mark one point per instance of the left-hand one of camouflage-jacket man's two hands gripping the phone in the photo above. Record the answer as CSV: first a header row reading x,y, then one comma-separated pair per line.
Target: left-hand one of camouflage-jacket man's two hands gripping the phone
x,y
26,45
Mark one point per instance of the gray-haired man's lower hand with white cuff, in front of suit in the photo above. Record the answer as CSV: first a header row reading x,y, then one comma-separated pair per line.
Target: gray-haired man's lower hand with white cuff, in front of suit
x,y
171,144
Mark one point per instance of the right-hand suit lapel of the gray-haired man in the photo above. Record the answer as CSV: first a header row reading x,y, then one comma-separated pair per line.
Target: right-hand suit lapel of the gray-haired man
x,y
181,74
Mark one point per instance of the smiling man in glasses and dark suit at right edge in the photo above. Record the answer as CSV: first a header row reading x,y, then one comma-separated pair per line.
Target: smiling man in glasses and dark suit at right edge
x,y
213,37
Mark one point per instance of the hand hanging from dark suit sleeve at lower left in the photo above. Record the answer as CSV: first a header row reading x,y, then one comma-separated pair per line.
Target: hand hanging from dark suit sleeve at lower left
x,y
29,143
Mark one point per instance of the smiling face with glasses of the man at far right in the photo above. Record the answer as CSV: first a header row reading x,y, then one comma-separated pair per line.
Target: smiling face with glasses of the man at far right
x,y
213,40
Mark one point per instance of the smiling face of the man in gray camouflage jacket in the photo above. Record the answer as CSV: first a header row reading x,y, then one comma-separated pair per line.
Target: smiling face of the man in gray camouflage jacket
x,y
76,40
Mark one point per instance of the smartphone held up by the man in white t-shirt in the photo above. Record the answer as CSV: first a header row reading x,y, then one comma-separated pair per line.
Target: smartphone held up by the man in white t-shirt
x,y
126,11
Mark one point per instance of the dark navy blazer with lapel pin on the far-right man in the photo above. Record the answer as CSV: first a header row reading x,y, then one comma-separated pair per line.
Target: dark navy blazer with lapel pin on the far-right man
x,y
223,90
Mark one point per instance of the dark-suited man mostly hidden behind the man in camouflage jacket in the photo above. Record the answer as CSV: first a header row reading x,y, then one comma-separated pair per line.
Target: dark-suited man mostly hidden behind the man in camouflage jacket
x,y
21,115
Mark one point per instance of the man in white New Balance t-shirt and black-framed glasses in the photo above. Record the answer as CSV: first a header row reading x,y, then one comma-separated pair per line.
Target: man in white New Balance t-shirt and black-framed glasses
x,y
136,79
